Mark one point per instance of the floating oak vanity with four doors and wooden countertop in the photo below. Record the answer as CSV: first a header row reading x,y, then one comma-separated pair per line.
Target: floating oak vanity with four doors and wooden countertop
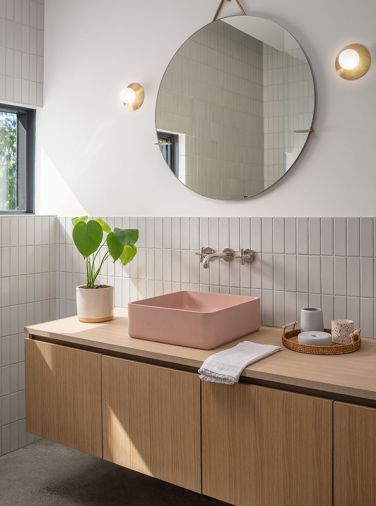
x,y
298,430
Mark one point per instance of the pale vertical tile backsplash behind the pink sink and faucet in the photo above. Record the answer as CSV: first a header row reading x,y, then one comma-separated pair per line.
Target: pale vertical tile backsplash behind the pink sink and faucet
x,y
326,262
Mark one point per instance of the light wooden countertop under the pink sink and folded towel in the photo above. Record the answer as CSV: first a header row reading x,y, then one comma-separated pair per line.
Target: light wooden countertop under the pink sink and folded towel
x,y
351,375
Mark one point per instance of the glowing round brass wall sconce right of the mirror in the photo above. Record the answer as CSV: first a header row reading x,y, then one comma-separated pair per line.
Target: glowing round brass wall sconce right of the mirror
x,y
353,61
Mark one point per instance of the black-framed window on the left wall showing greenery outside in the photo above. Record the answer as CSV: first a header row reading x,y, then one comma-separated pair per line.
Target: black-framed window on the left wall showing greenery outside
x,y
17,156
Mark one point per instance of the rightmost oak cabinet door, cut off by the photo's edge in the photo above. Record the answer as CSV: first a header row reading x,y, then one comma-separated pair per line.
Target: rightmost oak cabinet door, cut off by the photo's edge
x,y
354,455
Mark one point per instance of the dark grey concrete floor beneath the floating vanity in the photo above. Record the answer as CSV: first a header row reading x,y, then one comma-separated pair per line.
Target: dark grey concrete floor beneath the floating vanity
x,y
48,474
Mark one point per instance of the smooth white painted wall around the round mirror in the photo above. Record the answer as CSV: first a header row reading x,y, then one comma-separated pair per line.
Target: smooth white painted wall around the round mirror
x,y
95,157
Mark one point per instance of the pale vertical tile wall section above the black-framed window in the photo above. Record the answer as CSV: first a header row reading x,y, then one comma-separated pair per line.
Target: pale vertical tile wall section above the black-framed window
x,y
21,51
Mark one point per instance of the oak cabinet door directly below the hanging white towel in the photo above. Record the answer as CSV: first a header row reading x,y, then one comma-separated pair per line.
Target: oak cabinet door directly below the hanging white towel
x,y
266,447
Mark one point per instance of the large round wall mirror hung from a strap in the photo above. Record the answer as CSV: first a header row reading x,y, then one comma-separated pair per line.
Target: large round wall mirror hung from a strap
x,y
235,107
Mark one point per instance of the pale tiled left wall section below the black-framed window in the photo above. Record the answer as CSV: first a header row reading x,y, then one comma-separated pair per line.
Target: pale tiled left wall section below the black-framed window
x,y
27,262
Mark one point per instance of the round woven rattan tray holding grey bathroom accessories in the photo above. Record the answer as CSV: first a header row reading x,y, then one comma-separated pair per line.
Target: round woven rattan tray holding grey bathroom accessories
x,y
290,341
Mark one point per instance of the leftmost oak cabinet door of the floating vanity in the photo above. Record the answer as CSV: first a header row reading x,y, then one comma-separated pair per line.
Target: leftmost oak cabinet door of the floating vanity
x,y
63,395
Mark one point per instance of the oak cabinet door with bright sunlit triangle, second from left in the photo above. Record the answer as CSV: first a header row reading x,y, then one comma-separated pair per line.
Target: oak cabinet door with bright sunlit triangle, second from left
x,y
151,420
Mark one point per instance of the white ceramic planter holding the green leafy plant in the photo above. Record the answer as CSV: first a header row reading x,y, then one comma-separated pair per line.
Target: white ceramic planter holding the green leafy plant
x,y
95,305
